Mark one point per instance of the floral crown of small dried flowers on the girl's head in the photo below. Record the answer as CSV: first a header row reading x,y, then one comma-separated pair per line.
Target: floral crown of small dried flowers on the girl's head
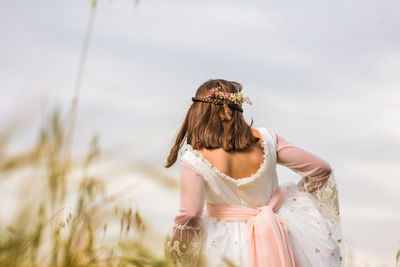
x,y
217,97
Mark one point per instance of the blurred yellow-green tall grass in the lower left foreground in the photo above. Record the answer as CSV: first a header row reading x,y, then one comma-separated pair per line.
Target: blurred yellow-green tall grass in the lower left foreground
x,y
45,232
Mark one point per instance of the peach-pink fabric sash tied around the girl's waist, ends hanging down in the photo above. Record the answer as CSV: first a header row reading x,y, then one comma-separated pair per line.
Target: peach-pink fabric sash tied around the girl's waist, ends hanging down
x,y
267,238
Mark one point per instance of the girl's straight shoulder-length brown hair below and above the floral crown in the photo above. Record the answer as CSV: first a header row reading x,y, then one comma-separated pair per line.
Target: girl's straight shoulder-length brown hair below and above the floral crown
x,y
210,126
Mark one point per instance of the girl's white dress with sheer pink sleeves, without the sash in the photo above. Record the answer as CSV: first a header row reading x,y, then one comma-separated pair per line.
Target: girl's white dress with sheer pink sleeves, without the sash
x,y
312,219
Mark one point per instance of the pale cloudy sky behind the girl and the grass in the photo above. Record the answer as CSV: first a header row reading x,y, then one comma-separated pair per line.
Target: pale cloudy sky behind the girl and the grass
x,y
323,74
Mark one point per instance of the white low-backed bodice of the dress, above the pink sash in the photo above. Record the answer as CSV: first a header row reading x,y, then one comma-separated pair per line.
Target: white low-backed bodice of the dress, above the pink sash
x,y
253,191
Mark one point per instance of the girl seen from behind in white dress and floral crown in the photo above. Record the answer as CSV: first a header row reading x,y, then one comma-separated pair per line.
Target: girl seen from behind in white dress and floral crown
x,y
250,220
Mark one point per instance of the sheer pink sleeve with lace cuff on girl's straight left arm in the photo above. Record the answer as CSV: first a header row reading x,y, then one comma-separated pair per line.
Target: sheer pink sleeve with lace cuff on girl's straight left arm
x,y
182,246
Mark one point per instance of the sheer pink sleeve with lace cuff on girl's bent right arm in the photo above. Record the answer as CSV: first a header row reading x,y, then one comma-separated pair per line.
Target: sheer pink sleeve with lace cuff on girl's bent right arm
x,y
318,179
